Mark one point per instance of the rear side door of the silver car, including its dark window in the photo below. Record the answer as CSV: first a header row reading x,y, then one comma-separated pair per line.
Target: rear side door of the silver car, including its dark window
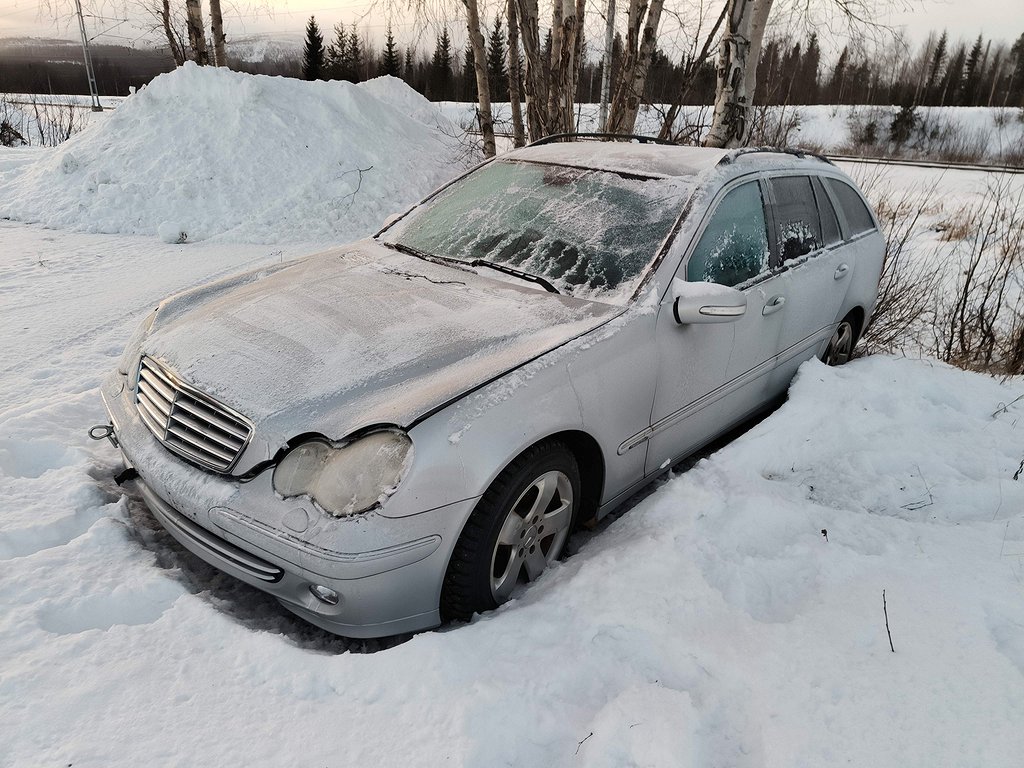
x,y
815,270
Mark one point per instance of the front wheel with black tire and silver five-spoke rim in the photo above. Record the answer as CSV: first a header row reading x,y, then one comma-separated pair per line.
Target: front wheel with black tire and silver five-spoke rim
x,y
515,532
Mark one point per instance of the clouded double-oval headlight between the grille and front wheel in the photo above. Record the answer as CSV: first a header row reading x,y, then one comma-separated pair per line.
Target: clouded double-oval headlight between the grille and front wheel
x,y
346,480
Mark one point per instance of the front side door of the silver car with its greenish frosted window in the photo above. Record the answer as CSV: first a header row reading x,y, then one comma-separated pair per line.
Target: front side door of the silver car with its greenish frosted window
x,y
712,376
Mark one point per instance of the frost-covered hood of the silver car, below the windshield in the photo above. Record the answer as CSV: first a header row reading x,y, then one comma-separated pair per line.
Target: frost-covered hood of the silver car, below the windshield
x,y
356,337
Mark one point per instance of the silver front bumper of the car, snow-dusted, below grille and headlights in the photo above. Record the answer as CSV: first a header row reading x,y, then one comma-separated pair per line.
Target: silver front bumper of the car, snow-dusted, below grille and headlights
x,y
388,572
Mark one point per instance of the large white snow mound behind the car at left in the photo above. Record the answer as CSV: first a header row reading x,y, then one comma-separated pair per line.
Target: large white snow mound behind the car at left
x,y
206,153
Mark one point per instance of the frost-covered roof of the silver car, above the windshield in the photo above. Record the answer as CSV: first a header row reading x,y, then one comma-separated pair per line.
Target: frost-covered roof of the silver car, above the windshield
x,y
663,160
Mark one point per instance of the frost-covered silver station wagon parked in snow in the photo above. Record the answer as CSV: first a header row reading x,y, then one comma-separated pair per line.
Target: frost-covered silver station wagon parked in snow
x,y
403,431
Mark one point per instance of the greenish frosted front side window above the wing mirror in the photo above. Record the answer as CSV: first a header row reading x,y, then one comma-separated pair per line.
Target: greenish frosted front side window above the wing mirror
x,y
734,248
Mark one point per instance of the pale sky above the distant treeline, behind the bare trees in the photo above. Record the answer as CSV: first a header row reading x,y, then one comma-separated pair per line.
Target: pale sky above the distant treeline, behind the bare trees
x,y
1001,20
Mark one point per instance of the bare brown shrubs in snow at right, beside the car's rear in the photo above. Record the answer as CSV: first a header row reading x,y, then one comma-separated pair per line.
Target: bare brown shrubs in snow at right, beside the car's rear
x,y
963,303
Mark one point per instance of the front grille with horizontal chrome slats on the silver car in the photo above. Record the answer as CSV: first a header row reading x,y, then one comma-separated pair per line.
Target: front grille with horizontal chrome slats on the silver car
x,y
189,422
